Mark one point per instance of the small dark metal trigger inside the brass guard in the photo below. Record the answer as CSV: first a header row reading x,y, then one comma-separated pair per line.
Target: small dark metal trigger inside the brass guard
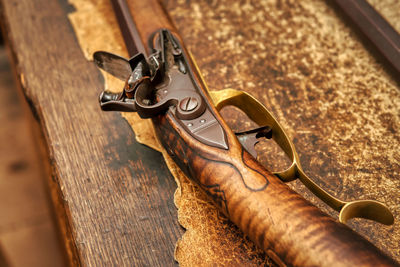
x,y
250,138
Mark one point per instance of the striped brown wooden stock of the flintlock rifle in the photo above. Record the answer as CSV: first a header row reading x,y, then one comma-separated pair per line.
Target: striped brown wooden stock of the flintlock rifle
x,y
290,229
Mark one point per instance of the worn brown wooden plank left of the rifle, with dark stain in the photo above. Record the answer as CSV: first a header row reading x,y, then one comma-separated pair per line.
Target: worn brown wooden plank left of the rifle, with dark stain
x,y
116,194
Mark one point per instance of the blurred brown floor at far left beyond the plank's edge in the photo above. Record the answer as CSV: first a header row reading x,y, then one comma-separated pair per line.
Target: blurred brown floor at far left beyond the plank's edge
x,y
28,232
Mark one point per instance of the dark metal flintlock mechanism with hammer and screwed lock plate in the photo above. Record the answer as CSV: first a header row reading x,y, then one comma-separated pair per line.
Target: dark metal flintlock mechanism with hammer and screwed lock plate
x,y
160,83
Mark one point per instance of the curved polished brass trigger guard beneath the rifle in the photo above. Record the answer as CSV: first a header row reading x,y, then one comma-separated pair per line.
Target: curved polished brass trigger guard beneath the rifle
x,y
367,209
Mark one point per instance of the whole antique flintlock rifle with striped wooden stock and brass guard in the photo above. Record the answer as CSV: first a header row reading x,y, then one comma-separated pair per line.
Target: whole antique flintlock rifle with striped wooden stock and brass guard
x,y
164,84
